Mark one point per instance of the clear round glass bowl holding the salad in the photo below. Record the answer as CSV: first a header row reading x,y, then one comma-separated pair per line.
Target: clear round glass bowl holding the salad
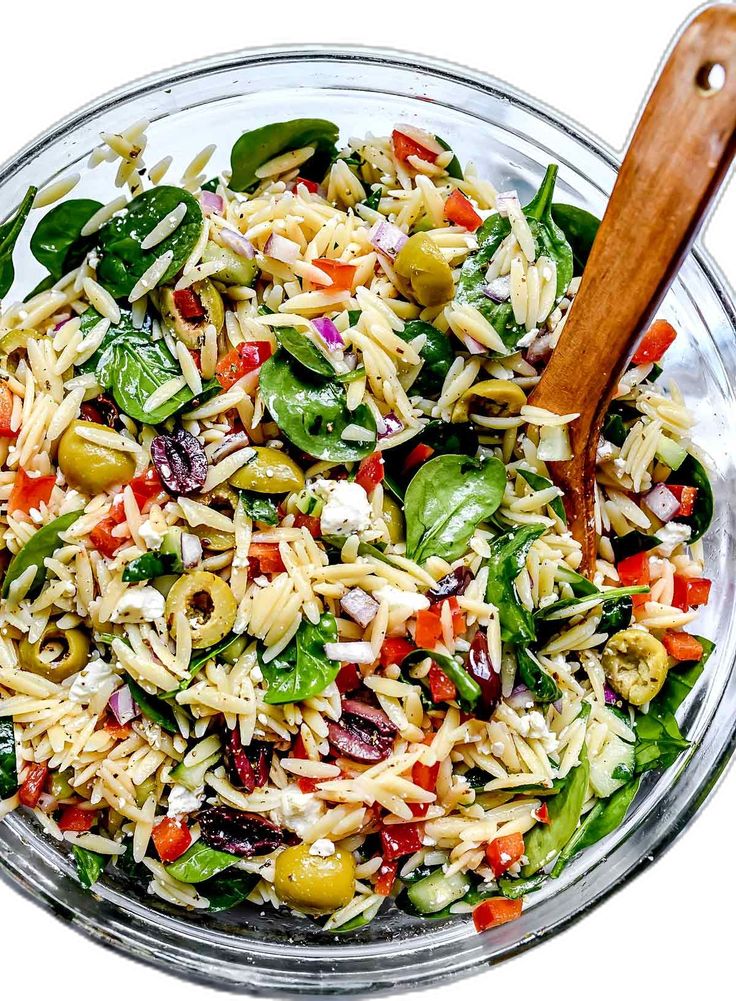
x,y
511,139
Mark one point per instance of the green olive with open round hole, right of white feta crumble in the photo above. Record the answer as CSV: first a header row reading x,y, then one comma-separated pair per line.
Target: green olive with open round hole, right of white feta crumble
x,y
208,603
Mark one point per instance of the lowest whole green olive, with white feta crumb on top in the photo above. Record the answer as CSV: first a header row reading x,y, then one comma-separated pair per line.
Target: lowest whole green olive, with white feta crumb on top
x,y
312,883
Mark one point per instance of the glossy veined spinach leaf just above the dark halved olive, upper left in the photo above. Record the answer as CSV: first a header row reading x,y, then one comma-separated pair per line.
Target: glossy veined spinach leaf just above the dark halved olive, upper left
x,y
134,367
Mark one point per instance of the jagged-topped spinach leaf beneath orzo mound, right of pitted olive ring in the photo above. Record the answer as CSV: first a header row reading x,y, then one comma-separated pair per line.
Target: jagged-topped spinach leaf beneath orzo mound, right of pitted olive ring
x,y
303,670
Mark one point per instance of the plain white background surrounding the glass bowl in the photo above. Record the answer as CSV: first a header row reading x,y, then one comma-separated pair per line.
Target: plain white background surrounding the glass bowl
x,y
671,931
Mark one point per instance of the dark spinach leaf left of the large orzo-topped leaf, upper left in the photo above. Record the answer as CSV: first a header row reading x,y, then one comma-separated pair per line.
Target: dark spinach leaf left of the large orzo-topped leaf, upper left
x,y
58,243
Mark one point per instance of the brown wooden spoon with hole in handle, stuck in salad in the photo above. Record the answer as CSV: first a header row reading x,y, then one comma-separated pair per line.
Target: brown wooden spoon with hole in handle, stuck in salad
x,y
677,160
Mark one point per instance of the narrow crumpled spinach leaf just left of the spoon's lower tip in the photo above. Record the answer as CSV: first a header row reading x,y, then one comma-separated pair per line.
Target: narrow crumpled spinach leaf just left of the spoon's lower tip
x,y
508,558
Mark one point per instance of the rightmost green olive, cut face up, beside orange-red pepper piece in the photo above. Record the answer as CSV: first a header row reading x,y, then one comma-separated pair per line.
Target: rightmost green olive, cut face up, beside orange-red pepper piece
x,y
636,665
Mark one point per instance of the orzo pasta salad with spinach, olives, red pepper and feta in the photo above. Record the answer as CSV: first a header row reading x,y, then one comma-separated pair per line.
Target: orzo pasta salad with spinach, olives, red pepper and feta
x,y
291,613
